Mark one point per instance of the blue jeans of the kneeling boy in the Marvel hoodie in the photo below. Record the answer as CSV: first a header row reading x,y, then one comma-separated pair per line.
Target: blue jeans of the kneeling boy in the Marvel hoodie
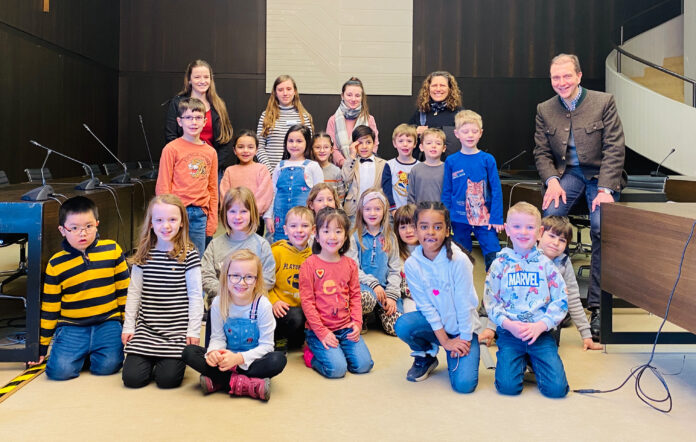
x,y
543,356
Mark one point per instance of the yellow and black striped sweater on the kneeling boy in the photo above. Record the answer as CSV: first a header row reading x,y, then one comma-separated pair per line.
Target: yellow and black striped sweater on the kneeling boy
x,y
83,289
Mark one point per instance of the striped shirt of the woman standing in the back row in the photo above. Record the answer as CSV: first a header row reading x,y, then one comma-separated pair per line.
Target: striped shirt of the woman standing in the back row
x,y
271,147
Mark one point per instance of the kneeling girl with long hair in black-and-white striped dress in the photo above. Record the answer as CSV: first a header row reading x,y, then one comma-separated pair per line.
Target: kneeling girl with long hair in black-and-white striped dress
x,y
164,307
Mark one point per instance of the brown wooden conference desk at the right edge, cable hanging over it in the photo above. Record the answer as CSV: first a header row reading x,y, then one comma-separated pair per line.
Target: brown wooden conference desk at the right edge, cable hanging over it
x,y
642,244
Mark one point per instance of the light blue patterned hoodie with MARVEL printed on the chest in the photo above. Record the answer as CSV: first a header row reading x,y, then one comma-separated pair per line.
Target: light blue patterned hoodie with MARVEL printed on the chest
x,y
525,288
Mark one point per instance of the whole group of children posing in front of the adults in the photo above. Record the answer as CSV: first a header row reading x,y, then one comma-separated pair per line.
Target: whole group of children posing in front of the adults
x,y
391,238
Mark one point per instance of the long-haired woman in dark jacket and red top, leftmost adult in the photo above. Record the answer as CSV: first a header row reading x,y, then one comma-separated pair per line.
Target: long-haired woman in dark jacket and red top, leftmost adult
x,y
217,132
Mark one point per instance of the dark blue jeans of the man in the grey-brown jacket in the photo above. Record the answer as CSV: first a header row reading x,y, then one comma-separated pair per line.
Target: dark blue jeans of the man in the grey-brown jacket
x,y
576,186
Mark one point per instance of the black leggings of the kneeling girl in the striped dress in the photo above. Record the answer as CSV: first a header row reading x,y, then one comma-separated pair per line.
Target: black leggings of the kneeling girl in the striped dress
x,y
139,370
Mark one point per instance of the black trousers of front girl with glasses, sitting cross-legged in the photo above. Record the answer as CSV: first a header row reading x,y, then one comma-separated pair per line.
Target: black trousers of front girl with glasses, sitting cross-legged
x,y
267,366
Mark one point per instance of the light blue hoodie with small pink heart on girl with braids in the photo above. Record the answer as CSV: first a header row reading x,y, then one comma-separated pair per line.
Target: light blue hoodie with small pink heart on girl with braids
x,y
444,291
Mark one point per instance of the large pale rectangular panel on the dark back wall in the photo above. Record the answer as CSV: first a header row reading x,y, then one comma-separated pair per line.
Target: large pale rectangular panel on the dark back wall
x,y
322,43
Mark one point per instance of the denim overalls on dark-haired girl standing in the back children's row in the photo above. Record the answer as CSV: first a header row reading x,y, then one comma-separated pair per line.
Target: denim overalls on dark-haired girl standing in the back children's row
x,y
291,190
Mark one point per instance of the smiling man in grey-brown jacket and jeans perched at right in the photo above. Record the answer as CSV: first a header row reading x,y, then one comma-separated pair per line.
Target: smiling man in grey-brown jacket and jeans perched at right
x,y
579,153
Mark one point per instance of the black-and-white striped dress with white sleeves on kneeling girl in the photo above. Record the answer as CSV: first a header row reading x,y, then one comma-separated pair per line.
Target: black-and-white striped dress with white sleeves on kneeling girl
x,y
165,302
